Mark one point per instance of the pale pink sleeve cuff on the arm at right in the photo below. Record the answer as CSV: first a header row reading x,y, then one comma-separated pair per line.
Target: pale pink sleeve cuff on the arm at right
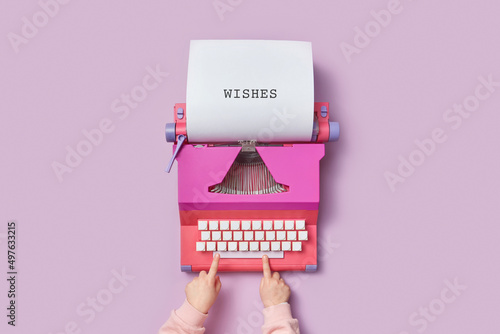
x,y
278,320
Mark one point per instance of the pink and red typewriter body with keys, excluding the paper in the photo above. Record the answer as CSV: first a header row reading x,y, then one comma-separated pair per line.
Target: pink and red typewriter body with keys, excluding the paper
x,y
243,198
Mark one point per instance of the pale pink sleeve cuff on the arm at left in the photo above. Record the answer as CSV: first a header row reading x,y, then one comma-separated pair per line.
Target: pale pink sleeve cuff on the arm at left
x,y
185,320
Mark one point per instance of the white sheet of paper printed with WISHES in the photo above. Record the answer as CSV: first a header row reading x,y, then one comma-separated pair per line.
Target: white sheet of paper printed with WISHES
x,y
250,90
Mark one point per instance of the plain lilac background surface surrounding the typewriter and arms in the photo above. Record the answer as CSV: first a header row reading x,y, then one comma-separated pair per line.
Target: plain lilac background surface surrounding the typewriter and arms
x,y
385,254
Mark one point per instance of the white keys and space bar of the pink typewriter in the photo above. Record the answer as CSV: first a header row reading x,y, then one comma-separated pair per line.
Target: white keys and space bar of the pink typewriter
x,y
251,238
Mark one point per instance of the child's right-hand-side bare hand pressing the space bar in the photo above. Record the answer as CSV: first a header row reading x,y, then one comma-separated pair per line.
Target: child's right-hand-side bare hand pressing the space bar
x,y
273,290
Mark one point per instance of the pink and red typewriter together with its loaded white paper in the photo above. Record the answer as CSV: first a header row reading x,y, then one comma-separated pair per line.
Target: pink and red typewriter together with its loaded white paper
x,y
248,142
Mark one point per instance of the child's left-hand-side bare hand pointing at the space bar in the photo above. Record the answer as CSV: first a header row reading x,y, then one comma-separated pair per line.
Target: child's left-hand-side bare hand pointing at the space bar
x,y
202,291
